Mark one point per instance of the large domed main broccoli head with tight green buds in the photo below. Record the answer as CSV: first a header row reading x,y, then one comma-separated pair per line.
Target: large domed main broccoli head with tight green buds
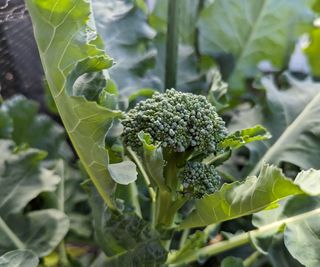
x,y
177,120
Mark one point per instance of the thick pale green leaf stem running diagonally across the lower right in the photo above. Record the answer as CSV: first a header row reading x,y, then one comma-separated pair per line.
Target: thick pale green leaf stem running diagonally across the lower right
x,y
236,241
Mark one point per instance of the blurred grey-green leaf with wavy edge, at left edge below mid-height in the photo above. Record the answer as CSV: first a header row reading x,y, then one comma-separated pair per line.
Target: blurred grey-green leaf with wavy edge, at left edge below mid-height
x,y
21,177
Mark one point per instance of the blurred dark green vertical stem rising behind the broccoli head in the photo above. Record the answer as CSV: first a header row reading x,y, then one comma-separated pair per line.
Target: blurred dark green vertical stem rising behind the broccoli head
x,y
172,44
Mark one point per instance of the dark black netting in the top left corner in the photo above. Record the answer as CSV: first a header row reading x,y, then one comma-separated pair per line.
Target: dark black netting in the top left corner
x,y
20,68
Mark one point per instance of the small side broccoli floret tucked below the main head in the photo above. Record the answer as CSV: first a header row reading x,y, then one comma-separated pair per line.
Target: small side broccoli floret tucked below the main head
x,y
198,179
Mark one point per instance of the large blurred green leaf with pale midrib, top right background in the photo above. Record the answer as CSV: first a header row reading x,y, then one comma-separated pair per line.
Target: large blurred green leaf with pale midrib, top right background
x,y
252,31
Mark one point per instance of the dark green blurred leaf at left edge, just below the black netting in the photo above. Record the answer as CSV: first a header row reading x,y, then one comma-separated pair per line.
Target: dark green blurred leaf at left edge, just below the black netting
x,y
38,131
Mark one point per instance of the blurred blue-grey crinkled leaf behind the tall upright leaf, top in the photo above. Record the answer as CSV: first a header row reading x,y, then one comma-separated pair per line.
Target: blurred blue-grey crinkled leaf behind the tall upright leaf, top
x,y
125,30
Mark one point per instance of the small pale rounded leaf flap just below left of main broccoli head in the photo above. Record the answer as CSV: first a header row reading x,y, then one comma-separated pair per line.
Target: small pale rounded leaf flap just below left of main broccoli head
x,y
124,172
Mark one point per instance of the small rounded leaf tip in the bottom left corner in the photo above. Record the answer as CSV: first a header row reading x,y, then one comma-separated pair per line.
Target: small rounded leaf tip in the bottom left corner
x,y
19,258
